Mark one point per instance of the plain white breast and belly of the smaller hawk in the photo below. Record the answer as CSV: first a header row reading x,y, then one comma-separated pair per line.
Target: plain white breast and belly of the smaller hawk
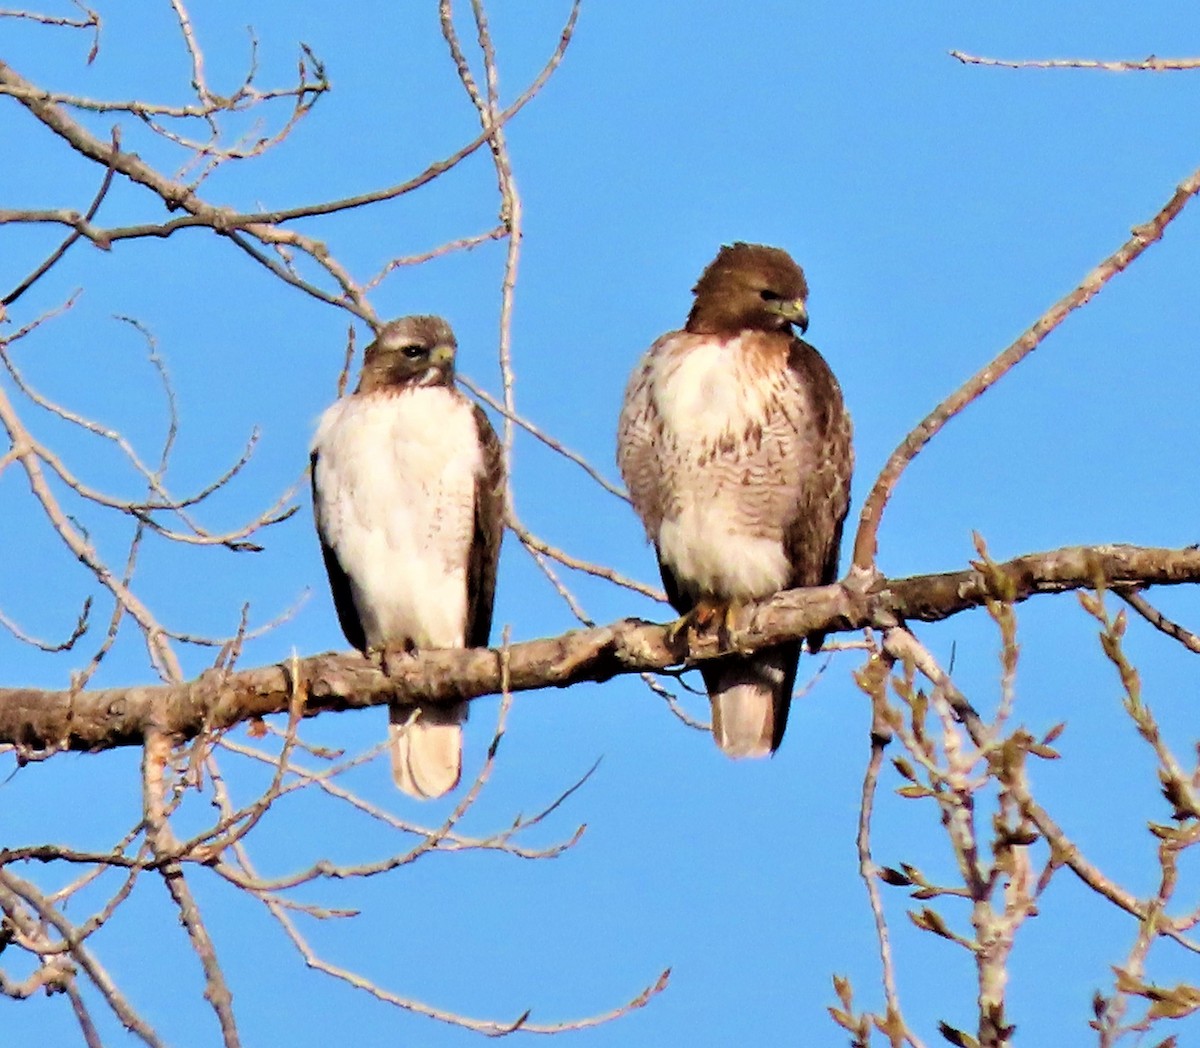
x,y
397,488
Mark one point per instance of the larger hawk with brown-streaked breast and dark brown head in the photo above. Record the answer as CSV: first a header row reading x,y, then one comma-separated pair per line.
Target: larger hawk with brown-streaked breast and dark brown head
x,y
736,448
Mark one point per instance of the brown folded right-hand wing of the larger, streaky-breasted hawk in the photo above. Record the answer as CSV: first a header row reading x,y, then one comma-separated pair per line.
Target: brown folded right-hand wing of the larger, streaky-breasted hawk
x,y
813,538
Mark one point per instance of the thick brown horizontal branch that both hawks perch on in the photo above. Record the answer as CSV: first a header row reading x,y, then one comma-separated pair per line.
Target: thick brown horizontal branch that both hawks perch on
x,y
38,721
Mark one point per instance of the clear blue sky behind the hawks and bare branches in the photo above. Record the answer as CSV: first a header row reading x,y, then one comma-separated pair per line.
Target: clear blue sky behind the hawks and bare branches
x,y
938,209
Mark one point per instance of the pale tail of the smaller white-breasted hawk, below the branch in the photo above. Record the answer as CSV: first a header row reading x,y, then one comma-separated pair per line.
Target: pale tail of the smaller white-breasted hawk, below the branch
x,y
427,748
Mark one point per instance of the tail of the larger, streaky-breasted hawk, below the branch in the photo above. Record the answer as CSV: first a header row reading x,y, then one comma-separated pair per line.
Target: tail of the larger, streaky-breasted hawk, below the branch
x,y
752,697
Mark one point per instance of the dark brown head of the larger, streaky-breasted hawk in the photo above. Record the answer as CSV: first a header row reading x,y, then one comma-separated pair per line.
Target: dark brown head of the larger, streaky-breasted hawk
x,y
749,286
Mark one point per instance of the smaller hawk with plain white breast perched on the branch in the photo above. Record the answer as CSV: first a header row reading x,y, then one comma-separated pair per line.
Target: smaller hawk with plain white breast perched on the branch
x,y
409,494
